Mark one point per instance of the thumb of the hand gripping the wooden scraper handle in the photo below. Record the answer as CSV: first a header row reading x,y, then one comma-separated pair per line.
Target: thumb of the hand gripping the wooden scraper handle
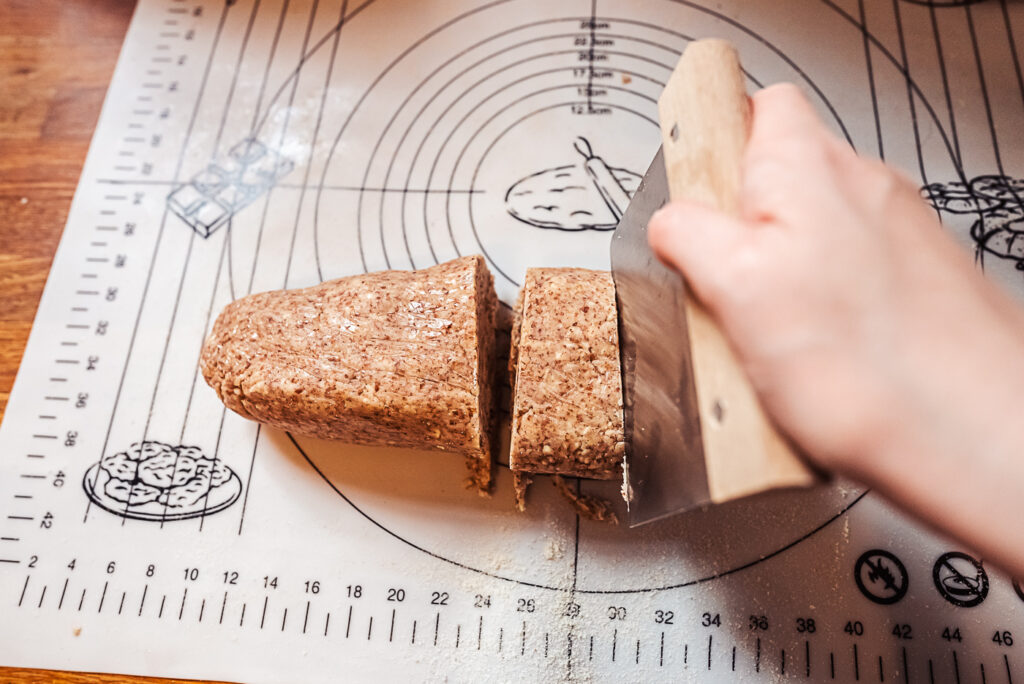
x,y
698,242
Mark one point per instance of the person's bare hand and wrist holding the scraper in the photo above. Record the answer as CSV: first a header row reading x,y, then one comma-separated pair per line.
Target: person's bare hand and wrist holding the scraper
x,y
870,337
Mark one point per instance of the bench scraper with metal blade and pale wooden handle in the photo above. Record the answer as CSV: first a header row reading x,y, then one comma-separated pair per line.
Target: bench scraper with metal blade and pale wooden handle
x,y
696,434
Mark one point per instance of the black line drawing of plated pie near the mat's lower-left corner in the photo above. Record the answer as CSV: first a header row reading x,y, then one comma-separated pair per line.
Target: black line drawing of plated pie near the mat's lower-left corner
x,y
157,482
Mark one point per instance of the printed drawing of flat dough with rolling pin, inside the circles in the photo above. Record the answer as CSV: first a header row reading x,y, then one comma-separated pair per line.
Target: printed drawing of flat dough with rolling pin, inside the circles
x,y
573,197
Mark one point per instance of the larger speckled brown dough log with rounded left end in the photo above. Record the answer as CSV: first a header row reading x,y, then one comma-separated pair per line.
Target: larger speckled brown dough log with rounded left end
x,y
397,359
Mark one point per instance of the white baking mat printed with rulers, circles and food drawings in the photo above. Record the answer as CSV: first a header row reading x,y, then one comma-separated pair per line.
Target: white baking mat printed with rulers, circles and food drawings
x,y
259,145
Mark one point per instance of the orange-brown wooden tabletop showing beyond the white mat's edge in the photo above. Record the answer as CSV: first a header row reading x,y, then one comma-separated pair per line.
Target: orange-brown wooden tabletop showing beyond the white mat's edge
x,y
57,59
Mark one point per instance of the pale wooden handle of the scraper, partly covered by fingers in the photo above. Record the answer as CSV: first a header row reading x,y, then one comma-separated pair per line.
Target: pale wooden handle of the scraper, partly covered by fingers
x,y
706,118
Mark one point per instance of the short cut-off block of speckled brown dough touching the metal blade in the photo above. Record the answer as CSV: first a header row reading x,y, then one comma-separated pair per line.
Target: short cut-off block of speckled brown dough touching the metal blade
x,y
568,408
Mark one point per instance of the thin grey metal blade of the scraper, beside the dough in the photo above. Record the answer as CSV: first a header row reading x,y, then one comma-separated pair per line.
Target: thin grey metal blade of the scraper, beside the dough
x,y
665,467
